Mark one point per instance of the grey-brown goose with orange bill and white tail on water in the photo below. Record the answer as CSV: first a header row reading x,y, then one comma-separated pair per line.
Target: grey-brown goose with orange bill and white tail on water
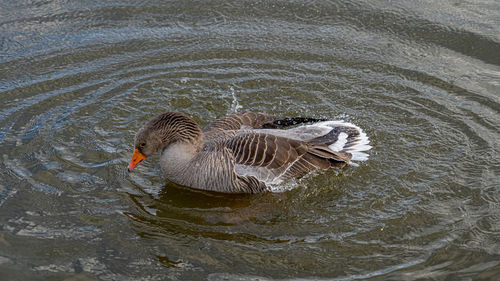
x,y
246,152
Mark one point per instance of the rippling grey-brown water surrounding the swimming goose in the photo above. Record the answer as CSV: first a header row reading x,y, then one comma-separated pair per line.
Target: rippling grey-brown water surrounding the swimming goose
x,y
421,78
